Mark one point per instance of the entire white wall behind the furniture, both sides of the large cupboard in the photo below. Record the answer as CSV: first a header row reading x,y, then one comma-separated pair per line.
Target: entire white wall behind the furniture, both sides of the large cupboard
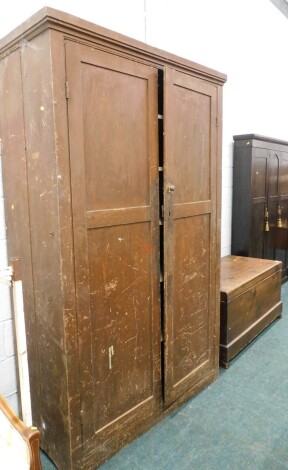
x,y
246,39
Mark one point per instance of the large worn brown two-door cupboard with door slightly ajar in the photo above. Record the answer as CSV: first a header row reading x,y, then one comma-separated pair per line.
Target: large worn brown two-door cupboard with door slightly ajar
x,y
111,159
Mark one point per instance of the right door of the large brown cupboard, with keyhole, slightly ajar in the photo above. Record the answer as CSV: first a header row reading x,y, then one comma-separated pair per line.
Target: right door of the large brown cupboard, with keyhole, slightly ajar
x,y
190,231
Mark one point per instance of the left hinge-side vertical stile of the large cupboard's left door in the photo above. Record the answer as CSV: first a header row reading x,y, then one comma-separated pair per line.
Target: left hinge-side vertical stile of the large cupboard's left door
x,y
75,103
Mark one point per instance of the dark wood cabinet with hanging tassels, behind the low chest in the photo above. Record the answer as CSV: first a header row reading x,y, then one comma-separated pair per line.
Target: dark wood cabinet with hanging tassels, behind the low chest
x,y
260,198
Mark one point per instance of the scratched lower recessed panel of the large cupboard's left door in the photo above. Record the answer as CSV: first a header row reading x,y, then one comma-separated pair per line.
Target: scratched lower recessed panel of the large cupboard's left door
x,y
121,323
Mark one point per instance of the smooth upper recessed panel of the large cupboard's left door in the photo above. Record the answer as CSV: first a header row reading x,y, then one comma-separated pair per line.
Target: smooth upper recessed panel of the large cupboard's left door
x,y
113,182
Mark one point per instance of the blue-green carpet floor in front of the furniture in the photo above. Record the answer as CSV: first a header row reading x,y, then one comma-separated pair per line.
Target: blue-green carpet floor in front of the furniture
x,y
238,422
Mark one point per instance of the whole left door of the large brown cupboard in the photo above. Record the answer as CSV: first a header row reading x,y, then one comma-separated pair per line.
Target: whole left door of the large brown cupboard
x,y
112,111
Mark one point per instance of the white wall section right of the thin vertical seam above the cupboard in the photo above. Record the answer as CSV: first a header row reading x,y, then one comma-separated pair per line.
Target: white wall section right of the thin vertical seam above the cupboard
x,y
247,40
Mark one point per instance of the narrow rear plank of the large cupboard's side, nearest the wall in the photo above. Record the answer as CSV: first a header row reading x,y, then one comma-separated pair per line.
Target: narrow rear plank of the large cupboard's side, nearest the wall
x,y
16,199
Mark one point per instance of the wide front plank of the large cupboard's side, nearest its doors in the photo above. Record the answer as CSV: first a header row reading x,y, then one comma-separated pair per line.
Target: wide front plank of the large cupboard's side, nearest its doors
x,y
43,179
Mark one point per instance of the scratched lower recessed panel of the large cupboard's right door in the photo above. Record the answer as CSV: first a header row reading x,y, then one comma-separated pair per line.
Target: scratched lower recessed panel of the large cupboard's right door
x,y
189,334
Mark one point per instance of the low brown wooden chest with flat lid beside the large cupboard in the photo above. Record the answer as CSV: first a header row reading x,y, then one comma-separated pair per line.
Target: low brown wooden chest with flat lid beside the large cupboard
x,y
250,301
